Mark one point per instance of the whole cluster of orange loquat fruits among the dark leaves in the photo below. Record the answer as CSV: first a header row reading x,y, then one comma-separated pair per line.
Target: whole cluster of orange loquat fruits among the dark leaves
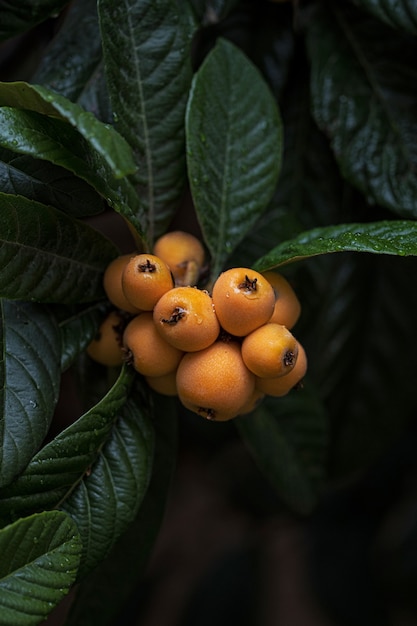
x,y
220,352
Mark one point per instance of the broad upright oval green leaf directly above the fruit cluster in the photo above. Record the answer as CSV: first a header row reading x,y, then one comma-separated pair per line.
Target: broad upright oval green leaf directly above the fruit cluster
x,y
234,144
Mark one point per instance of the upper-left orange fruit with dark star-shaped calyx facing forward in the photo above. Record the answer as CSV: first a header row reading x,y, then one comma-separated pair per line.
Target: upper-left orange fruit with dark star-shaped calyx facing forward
x,y
145,279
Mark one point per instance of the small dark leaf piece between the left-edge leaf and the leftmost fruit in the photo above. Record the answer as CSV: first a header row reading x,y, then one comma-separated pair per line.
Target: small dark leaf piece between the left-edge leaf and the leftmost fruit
x,y
78,327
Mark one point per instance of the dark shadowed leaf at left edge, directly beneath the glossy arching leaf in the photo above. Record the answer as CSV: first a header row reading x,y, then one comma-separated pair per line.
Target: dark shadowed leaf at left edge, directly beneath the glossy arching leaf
x,y
47,183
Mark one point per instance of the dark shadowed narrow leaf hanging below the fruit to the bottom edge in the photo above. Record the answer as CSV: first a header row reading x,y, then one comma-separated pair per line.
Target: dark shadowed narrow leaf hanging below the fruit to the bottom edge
x,y
118,575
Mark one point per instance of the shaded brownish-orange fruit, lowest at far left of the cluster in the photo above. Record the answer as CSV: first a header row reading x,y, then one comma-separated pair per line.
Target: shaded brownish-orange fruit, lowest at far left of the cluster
x,y
106,347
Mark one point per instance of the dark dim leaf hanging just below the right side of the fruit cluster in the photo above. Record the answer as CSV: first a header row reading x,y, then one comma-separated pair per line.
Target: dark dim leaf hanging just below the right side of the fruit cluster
x,y
288,439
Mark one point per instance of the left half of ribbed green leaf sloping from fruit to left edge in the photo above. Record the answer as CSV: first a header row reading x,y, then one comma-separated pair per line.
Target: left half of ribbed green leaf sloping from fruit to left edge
x,y
62,463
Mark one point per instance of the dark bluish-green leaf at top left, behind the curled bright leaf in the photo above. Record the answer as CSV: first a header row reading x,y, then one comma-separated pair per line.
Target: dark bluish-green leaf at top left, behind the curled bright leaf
x,y
72,57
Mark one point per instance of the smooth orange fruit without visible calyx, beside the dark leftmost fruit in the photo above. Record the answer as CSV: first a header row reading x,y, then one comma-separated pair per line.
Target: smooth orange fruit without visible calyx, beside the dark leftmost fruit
x,y
148,352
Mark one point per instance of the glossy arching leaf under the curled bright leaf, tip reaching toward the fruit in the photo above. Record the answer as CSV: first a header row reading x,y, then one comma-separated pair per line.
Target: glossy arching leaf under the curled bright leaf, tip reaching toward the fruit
x,y
54,140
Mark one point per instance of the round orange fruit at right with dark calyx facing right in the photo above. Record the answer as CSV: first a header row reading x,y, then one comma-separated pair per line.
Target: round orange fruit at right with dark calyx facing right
x,y
270,350
